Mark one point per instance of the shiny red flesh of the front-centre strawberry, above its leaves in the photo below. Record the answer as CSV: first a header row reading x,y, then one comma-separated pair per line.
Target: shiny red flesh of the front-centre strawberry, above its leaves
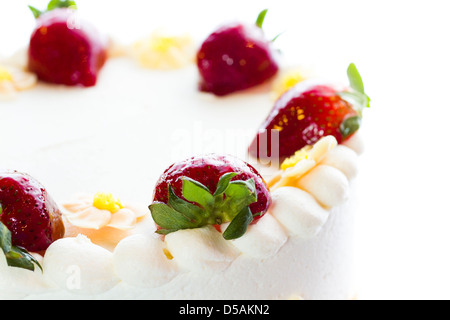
x,y
207,170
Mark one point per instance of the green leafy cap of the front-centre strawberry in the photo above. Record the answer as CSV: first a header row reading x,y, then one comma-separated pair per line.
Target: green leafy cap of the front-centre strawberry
x,y
200,208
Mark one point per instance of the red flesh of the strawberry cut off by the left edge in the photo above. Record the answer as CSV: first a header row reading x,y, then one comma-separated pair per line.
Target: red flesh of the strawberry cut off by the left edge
x,y
28,212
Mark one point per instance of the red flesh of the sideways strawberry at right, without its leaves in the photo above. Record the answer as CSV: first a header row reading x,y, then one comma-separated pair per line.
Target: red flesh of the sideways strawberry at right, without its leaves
x,y
302,119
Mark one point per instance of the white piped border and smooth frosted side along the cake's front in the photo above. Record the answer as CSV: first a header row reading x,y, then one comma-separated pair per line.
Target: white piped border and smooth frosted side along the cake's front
x,y
301,247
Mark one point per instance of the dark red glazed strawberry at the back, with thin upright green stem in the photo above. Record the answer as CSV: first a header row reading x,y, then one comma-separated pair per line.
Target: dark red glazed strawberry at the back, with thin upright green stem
x,y
236,57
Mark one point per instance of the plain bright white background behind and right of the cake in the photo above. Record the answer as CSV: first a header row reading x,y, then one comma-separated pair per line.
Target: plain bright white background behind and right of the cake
x,y
401,48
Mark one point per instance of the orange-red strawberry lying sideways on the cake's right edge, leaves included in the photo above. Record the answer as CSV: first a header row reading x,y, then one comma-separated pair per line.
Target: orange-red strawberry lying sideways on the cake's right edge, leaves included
x,y
308,112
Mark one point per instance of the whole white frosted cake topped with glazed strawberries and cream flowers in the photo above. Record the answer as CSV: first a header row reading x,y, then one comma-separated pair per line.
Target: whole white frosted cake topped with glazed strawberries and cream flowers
x,y
109,152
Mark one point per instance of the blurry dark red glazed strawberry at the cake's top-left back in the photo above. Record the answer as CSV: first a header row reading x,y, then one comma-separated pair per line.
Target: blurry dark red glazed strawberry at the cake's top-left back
x,y
64,49
